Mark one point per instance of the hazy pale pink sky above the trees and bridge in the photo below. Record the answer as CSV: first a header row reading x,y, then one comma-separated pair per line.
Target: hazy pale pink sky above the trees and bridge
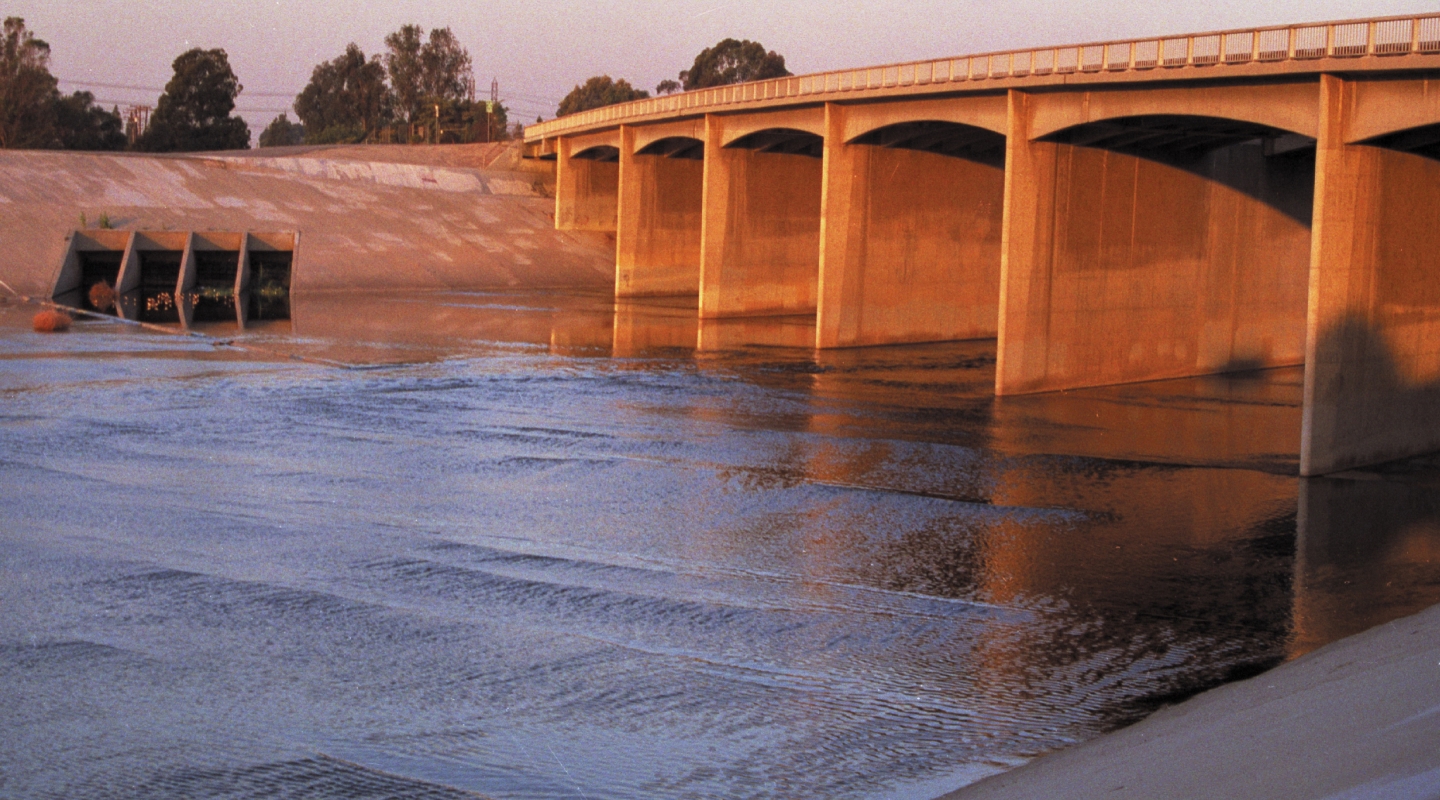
x,y
539,50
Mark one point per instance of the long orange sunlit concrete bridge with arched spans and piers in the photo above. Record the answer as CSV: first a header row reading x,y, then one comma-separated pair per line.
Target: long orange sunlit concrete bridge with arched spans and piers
x,y
1114,212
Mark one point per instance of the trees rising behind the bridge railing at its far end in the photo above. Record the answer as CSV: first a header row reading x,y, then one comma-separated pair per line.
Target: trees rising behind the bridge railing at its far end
x,y
731,61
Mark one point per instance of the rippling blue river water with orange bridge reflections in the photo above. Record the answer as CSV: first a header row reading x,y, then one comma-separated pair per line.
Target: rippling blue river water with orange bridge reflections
x,y
542,546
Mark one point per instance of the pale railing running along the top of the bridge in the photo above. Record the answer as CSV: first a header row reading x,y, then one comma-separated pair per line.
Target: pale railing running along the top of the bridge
x,y
1386,37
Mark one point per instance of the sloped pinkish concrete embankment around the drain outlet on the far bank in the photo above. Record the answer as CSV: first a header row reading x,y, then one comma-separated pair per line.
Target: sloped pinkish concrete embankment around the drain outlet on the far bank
x,y
364,227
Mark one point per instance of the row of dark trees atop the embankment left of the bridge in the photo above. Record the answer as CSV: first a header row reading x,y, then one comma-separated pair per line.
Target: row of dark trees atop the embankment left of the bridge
x,y
421,83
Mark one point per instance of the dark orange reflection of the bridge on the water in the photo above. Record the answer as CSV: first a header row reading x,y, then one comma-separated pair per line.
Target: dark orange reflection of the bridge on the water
x,y
1230,437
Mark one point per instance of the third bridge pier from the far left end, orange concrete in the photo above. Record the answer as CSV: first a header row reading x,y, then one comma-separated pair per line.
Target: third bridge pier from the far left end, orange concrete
x,y
760,251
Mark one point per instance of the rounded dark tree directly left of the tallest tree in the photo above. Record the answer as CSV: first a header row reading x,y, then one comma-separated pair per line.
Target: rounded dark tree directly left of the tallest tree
x,y
346,99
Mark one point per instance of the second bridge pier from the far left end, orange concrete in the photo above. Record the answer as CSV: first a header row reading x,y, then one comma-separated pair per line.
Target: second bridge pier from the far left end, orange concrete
x,y
657,237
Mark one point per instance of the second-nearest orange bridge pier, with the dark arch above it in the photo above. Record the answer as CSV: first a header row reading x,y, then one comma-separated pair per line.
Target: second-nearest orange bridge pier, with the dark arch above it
x,y
1182,253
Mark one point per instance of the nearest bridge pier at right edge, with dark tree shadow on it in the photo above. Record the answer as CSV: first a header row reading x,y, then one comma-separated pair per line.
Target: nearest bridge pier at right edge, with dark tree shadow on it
x,y
1373,355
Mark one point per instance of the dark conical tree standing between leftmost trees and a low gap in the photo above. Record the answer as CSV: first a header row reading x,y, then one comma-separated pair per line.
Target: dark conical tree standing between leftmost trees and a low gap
x,y
194,114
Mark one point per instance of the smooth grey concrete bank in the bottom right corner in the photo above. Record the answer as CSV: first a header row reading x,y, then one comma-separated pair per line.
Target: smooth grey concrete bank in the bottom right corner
x,y
1357,720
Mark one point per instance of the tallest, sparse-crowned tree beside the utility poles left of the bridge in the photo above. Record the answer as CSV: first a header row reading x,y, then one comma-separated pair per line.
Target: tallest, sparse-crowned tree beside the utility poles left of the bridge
x,y
426,71
